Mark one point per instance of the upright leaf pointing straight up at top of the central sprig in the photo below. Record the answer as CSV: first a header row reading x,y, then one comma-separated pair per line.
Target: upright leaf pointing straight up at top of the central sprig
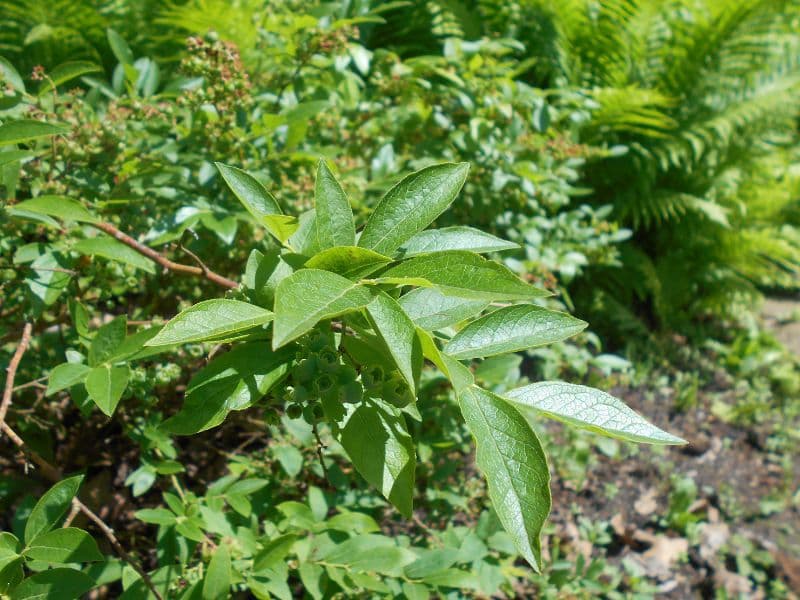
x,y
334,222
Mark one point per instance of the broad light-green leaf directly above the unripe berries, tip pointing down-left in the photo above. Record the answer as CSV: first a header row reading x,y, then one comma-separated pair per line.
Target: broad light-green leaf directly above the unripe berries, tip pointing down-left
x,y
307,297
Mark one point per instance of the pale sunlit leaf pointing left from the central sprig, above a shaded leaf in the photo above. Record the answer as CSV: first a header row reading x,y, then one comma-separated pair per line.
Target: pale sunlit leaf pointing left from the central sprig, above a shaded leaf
x,y
210,319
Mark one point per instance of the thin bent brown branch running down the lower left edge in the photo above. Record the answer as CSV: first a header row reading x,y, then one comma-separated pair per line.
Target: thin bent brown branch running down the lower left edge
x,y
52,473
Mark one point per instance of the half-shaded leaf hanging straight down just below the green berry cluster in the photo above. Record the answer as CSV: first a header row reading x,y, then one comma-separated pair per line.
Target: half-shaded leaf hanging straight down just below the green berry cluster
x,y
375,437
